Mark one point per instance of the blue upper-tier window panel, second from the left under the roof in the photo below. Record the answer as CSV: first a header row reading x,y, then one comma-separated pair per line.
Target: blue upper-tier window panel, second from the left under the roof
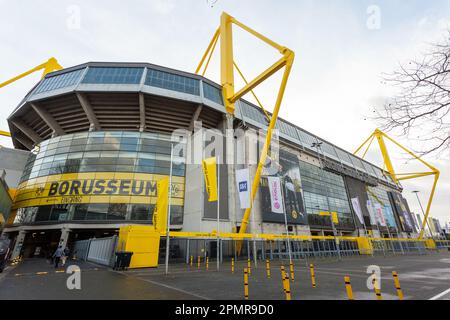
x,y
113,75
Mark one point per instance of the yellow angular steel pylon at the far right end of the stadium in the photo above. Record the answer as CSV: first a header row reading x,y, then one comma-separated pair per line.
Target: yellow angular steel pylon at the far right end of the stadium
x,y
397,177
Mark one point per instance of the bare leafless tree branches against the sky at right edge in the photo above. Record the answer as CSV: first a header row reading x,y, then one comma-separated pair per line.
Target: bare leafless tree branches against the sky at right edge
x,y
421,108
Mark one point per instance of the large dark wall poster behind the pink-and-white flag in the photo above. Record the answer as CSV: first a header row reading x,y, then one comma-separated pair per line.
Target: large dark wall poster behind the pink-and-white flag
x,y
290,188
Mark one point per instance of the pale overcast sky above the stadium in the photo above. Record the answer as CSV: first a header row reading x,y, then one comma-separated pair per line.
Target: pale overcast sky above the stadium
x,y
341,47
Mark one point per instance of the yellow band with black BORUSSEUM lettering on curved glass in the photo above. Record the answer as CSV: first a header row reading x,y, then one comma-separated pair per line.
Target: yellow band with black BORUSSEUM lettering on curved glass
x,y
95,187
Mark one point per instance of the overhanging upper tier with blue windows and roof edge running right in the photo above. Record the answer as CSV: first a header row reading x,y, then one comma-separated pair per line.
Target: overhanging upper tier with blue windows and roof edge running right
x,y
147,97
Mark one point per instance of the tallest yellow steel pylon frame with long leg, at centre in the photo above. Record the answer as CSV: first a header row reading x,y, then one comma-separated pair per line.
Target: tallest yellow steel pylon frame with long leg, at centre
x,y
227,65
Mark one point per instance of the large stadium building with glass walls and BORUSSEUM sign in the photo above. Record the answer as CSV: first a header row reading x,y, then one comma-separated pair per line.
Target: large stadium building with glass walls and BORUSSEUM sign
x,y
99,138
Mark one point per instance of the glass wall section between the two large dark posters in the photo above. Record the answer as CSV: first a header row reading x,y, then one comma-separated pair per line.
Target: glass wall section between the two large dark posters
x,y
325,191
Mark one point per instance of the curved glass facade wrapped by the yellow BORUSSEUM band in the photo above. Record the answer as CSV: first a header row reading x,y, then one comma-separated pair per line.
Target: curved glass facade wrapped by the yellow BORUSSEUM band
x,y
98,176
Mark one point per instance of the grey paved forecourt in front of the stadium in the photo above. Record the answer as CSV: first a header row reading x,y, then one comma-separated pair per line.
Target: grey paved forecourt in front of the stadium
x,y
421,277
